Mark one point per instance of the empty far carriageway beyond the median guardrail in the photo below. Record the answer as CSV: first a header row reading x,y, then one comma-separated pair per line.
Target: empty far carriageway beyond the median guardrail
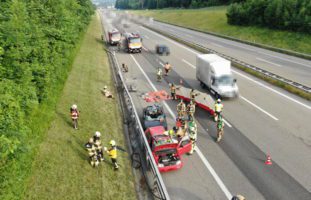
x,y
290,67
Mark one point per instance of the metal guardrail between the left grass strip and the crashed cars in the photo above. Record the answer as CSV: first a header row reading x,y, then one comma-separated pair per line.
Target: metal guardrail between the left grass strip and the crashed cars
x,y
141,147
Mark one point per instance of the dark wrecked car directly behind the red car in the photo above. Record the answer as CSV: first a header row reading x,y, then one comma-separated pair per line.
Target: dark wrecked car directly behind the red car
x,y
154,116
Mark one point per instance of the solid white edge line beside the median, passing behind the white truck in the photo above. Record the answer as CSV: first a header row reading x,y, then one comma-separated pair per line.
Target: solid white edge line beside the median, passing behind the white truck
x,y
261,84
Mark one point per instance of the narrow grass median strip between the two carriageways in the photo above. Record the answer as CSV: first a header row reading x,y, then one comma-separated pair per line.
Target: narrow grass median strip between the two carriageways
x,y
275,82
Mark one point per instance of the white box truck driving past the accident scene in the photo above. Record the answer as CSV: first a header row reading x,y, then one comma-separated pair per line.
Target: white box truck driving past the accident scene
x,y
214,72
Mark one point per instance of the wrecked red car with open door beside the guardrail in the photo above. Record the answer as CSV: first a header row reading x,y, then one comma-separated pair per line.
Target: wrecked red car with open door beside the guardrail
x,y
166,150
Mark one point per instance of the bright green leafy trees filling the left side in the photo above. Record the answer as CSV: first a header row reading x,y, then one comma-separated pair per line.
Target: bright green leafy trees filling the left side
x,y
37,39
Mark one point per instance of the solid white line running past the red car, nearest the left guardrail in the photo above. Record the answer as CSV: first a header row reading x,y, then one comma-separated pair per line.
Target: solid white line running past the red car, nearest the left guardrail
x,y
204,160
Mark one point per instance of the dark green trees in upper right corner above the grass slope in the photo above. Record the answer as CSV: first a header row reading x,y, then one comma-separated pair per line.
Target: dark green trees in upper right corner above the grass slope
x,y
294,15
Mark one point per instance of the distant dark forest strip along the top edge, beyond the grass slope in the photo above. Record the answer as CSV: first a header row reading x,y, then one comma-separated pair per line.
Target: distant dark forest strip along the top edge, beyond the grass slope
x,y
154,4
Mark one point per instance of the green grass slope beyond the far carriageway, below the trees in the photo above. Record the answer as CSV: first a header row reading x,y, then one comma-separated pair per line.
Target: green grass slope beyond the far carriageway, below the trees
x,y
214,20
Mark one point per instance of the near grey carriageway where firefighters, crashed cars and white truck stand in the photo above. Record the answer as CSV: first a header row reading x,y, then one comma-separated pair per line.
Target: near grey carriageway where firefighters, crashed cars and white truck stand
x,y
264,120
